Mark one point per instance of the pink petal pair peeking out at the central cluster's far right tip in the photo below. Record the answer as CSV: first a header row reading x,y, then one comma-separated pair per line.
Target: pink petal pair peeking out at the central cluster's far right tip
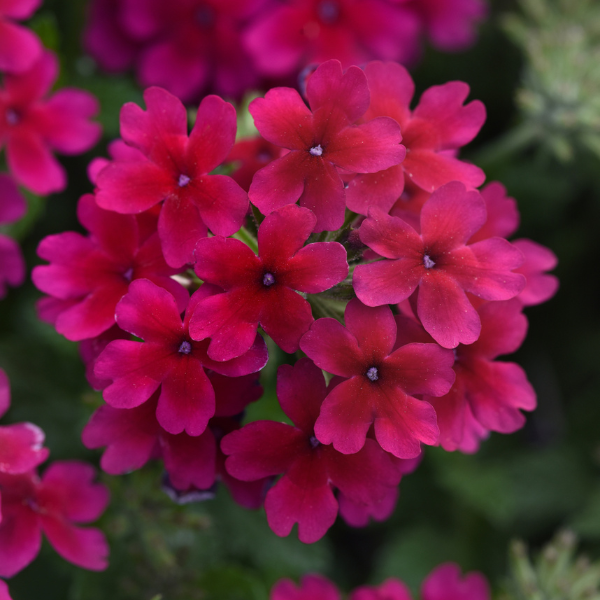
x,y
538,259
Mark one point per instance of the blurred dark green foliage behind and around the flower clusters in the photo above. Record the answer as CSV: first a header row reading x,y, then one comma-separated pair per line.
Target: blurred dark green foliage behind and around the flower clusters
x,y
536,67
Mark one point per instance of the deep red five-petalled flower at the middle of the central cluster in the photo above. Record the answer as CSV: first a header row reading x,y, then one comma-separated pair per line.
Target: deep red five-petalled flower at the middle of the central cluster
x,y
261,289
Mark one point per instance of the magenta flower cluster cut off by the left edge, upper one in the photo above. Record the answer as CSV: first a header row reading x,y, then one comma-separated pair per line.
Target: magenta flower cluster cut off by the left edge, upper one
x,y
33,124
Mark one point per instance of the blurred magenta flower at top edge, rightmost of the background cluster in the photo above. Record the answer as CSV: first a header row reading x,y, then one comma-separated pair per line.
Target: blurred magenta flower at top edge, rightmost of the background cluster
x,y
450,24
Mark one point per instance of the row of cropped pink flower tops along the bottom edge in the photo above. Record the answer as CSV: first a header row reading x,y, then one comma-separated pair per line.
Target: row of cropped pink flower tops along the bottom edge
x,y
443,583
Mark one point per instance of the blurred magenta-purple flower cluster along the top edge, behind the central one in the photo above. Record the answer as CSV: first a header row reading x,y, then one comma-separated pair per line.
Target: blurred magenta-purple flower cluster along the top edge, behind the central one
x,y
231,46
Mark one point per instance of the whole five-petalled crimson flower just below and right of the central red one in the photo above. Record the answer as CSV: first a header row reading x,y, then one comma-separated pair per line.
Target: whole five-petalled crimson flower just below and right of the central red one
x,y
380,382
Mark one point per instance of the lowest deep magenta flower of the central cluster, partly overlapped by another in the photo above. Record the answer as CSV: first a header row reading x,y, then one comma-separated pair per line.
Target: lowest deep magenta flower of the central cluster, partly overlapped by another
x,y
304,494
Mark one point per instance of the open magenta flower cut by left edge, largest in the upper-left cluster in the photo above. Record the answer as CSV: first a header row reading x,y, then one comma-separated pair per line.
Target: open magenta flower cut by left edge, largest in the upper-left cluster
x,y
32,125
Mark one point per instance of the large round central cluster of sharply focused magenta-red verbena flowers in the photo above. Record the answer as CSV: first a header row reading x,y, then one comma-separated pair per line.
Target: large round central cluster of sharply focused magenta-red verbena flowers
x,y
366,248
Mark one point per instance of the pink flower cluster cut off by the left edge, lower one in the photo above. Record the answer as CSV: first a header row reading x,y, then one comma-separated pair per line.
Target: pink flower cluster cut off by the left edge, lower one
x,y
55,503
